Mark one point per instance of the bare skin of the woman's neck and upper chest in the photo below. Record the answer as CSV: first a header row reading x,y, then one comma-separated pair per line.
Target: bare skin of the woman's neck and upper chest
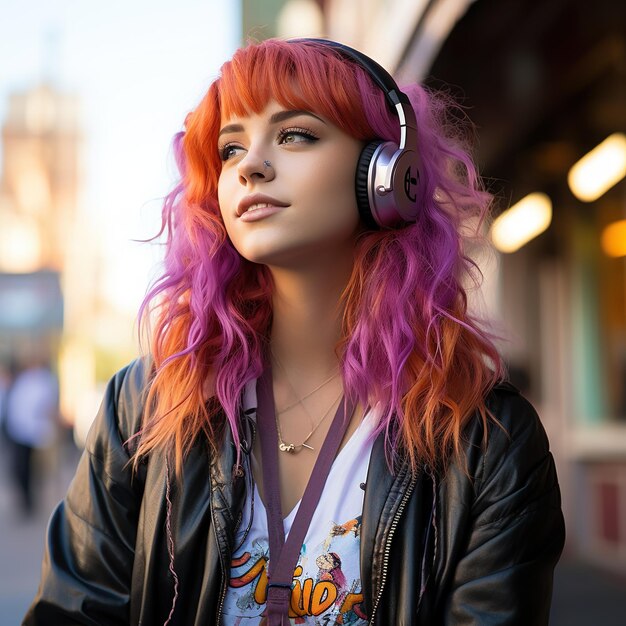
x,y
306,327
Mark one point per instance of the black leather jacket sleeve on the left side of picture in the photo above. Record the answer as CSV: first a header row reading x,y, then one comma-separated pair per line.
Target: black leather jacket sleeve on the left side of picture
x,y
90,545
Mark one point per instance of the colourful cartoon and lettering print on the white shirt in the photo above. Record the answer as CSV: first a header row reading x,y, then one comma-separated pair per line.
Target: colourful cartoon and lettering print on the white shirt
x,y
326,587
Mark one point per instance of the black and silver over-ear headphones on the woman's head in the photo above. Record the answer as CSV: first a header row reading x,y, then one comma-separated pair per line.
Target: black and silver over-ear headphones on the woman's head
x,y
387,175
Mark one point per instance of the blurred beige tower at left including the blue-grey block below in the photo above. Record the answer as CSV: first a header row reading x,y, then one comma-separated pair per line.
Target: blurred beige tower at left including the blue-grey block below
x,y
38,199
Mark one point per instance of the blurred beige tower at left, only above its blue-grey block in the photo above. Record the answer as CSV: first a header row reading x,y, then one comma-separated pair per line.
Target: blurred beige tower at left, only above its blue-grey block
x,y
39,188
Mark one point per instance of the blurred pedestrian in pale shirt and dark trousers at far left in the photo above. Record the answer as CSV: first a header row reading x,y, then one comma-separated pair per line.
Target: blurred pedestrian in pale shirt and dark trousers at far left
x,y
31,417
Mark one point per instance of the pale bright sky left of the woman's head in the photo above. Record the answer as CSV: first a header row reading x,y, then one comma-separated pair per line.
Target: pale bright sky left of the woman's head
x,y
138,66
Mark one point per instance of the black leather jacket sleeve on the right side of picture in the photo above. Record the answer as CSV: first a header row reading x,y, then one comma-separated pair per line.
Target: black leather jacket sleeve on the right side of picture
x,y
516,530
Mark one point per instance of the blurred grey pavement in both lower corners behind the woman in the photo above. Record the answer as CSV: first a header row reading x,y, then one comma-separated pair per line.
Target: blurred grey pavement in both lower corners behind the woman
x,y
583,596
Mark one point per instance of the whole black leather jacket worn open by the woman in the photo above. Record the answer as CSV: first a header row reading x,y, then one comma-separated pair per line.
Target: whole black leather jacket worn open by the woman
x,y
476,545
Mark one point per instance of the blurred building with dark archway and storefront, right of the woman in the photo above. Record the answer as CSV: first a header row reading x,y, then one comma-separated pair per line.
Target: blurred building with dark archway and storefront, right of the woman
x,y
545,82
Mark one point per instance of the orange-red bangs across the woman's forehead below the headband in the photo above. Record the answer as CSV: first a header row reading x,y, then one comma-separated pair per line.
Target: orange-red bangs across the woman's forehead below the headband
x,y
306,76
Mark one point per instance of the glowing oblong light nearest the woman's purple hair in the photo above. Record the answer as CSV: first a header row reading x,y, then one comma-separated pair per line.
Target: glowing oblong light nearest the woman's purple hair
x,y
524,221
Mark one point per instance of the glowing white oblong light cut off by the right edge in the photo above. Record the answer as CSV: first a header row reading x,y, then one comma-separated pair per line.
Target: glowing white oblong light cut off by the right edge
x,y
599,169
